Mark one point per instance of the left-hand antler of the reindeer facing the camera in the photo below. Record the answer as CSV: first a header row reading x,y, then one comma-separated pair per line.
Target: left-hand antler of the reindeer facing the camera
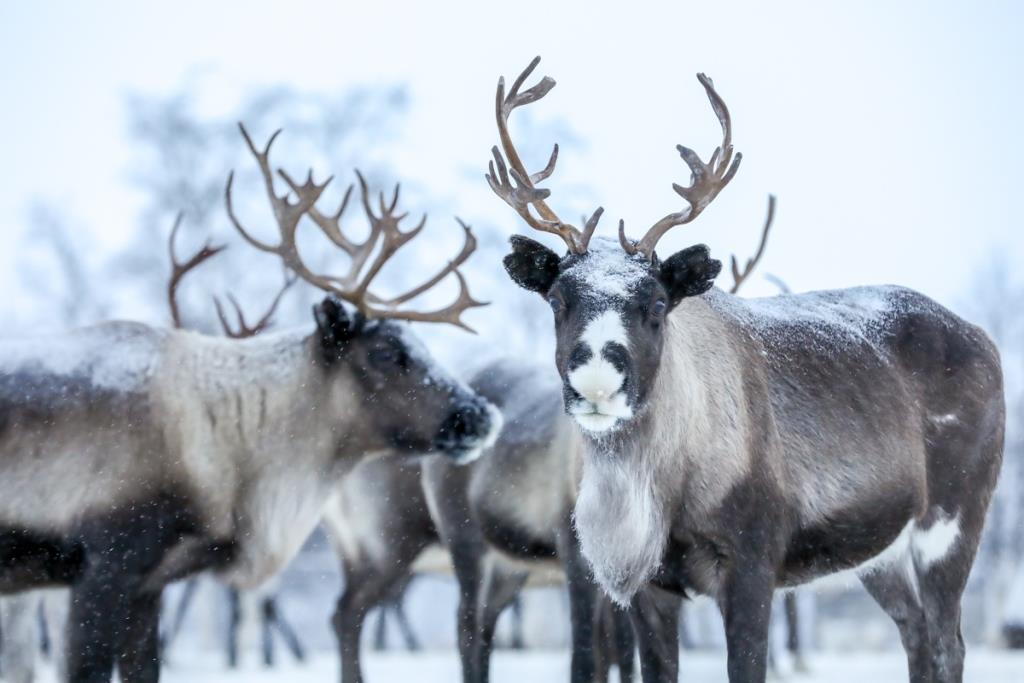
x,y
521,192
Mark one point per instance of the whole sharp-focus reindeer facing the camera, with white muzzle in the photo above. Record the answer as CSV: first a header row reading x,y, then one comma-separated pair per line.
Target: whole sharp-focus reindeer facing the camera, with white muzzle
x,y
733,447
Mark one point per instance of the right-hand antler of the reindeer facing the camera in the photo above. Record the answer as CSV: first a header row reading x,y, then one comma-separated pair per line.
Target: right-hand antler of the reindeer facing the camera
x,y
707,181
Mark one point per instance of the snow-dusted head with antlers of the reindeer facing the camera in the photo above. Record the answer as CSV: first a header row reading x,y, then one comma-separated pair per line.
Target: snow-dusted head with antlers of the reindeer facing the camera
x,y
610,298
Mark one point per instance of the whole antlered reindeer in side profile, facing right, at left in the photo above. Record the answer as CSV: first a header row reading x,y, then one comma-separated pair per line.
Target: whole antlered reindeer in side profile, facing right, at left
x,y
132,457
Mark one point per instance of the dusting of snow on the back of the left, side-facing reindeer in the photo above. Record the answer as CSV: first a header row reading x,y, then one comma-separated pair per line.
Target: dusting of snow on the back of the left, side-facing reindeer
x,y
110,356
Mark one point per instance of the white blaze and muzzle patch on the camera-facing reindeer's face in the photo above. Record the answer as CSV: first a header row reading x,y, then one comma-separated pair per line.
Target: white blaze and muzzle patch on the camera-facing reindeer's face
x,y
598,380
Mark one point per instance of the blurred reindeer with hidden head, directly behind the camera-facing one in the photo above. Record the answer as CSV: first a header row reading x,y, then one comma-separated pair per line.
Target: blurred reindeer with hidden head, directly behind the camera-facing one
x,y
509,516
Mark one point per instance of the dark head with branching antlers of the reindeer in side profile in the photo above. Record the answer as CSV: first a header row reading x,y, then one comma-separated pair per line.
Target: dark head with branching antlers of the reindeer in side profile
x,y
377,375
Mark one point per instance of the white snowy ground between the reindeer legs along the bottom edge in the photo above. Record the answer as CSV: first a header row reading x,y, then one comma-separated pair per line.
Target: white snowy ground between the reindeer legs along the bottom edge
x,y
542,667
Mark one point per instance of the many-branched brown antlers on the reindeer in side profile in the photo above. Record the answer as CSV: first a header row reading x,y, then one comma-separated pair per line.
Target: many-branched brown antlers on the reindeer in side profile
x,y
386,234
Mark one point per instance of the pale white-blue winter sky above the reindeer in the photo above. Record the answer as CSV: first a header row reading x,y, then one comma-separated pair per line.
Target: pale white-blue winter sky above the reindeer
x,y
891,135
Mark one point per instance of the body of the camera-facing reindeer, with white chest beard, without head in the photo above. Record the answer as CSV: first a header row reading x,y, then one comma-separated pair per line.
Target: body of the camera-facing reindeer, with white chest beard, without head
x,y
791,438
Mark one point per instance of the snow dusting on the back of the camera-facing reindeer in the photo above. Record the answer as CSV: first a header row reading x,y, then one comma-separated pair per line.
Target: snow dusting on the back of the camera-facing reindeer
x,y
827,321
